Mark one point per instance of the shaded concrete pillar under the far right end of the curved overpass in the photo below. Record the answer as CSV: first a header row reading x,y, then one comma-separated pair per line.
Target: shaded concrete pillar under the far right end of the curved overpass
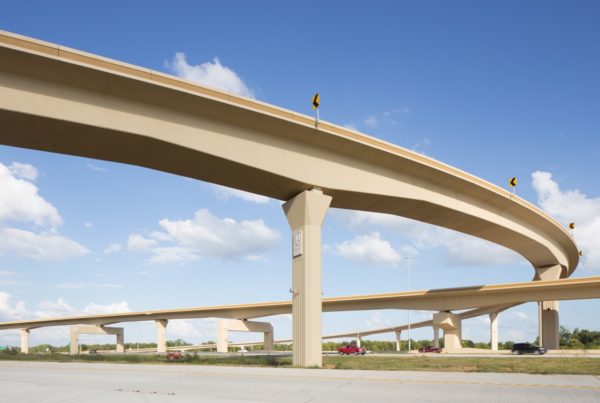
x,y
548,310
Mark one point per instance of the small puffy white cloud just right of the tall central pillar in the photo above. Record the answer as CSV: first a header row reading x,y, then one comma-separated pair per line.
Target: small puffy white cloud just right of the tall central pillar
x,y
369,249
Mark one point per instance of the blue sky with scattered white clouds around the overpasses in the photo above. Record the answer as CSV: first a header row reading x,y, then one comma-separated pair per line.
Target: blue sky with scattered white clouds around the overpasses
x,y
498,89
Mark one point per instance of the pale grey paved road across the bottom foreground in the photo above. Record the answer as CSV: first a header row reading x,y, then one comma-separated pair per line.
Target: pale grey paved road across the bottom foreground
x,y
87,382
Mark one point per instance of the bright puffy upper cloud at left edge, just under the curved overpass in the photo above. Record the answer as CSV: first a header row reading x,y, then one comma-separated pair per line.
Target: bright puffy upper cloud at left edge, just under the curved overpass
x,y
19,201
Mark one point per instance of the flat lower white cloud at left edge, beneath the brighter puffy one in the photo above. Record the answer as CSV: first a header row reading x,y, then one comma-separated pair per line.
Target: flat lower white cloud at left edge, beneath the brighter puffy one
x,y
42,246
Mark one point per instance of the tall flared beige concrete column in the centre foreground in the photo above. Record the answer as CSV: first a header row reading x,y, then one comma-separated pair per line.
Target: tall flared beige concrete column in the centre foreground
x,y
305,214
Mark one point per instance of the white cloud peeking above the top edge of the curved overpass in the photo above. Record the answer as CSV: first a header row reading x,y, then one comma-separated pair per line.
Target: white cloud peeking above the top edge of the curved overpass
x,y
212,74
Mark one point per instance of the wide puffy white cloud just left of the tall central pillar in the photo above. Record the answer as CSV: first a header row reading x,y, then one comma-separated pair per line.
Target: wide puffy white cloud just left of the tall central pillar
x,y
205,236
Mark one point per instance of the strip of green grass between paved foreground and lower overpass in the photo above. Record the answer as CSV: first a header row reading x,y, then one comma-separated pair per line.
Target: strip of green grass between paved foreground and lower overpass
x,y
534,365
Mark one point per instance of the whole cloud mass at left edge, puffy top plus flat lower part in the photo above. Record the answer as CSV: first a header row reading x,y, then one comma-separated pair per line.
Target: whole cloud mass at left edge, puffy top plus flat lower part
x,y
20,203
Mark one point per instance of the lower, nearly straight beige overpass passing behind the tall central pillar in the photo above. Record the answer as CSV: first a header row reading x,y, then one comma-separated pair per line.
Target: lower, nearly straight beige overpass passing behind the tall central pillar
x,y
496,297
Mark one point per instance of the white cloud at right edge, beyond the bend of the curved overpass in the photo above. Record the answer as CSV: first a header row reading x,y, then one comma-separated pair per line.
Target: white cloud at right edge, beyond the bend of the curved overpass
x,y
572,206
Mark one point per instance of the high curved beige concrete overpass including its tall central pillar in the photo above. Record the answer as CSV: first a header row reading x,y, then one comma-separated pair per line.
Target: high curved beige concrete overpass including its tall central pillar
x,y
62,100
